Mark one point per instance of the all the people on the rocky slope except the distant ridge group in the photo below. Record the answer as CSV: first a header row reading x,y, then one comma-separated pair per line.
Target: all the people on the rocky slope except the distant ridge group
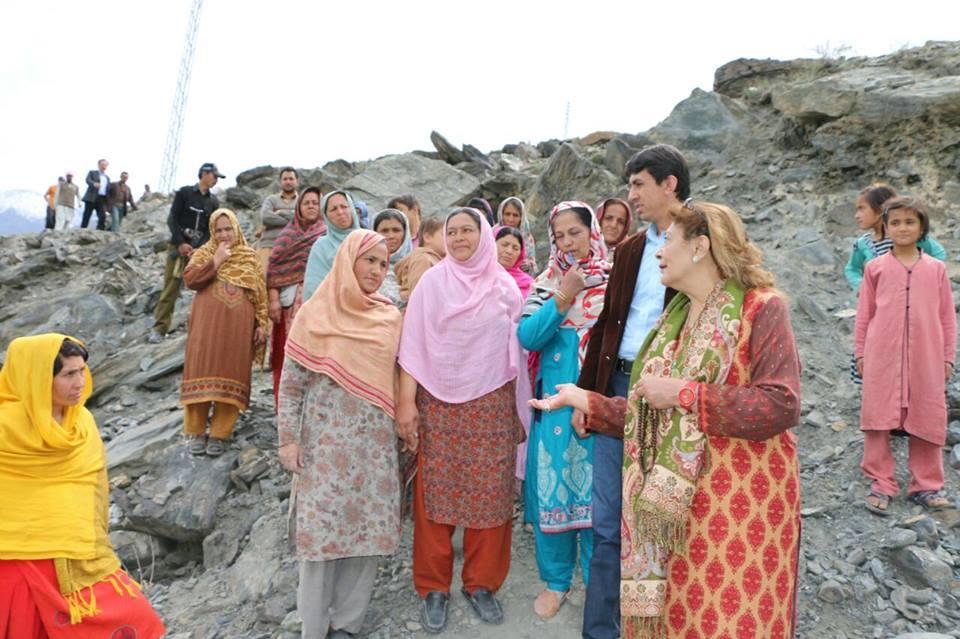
x,y
640,391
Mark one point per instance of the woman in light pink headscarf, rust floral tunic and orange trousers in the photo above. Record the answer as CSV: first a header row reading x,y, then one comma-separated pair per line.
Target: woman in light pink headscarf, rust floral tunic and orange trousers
x,y
462,388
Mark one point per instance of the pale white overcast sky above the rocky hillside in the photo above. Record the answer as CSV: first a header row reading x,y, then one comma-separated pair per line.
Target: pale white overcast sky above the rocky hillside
x,y
303,82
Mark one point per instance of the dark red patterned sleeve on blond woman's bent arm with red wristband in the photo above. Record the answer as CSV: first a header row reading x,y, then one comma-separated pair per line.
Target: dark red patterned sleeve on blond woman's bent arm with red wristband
x,y
770,404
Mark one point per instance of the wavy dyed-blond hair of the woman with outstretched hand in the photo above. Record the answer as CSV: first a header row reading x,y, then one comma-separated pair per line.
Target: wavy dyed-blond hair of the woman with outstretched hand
x,y
734,254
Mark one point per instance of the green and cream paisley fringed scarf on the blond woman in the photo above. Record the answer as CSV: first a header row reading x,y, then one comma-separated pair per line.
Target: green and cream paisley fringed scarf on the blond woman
x,y
665,451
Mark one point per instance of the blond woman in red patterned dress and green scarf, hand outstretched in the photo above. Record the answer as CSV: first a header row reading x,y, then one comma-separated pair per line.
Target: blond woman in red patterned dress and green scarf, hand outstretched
x,y
711,491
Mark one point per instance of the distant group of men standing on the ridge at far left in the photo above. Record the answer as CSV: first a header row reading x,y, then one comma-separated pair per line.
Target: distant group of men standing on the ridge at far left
x,y
110,200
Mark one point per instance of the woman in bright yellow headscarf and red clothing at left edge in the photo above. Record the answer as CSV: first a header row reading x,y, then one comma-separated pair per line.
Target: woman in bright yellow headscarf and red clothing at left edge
x,y
59,576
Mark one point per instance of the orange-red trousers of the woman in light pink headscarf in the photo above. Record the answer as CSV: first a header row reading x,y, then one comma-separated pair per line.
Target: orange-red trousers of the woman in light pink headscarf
x,y
486,552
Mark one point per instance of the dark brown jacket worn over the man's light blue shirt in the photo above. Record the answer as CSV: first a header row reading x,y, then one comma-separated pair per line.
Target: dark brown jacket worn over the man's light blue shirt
x,y
606,334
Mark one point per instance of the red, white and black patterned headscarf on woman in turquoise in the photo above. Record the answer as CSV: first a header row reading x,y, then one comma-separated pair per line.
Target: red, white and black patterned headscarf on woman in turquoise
x,y
588,303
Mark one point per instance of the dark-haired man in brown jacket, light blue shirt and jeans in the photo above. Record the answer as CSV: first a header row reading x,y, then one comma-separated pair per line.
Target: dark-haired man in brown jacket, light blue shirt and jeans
x,y
659,179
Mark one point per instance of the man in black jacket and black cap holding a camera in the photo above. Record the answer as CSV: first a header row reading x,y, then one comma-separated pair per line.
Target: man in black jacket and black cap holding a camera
x,y
189,223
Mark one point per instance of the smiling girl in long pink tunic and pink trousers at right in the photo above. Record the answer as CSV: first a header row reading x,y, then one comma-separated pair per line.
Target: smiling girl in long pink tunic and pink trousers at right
x,y
905,345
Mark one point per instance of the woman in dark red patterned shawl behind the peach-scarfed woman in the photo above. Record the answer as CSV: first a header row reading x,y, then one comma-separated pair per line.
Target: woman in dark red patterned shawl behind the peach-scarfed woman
x,y
285,272
